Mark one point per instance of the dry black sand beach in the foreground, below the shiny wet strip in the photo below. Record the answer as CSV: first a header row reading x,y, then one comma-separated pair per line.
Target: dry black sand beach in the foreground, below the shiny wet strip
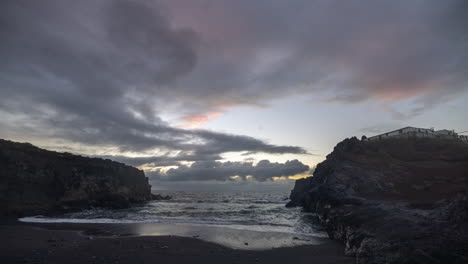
x,y
67,243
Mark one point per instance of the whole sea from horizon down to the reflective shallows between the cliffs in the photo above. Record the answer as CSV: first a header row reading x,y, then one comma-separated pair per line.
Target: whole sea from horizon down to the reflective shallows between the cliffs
x,y
228,218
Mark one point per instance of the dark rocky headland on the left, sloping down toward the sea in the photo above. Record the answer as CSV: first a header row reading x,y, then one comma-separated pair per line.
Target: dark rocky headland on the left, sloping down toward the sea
x,y
36,181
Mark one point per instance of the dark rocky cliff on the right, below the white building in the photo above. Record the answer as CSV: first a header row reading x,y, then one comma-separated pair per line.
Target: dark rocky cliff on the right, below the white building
x,y
393,201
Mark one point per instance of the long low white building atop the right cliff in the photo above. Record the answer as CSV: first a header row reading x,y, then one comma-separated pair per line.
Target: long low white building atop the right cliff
x,y
409,132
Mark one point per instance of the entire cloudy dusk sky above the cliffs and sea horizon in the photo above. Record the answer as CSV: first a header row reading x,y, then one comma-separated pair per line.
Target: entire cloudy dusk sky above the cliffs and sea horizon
x,y
238,93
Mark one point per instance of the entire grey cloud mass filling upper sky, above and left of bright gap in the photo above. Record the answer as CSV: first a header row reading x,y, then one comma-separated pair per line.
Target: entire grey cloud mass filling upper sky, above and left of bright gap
x,y
102,72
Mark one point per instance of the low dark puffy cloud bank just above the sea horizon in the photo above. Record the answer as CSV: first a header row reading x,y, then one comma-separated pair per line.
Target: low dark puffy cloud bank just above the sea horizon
x,y
222,171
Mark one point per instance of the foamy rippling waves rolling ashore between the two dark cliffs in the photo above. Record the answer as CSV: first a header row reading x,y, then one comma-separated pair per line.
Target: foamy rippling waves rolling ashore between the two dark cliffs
x,y
251,212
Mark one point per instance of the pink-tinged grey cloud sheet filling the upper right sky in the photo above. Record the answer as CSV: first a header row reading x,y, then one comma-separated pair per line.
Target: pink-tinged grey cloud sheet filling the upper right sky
x,y
350,51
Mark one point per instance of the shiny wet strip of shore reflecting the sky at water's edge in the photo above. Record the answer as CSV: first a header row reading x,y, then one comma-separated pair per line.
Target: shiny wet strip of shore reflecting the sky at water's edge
x,y
232,236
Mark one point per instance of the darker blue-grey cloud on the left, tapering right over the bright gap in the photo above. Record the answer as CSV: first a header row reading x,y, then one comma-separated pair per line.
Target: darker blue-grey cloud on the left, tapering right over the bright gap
x,y
96,72
